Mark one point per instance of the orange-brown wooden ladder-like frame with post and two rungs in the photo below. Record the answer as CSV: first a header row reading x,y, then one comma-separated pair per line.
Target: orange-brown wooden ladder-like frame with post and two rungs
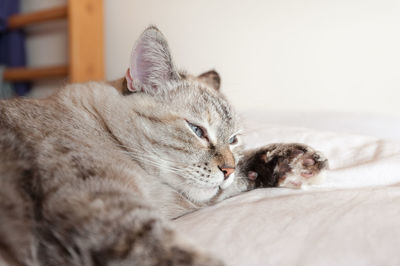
x,y
85,44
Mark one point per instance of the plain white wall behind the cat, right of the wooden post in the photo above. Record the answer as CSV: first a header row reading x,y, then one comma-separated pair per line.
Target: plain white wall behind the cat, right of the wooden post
x,y
278,54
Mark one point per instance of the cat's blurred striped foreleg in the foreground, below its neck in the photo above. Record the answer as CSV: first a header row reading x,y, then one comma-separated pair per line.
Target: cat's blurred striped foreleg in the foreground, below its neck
x,y
104,223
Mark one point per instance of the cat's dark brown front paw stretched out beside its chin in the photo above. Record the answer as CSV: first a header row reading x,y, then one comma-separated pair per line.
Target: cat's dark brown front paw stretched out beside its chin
x,y
286,165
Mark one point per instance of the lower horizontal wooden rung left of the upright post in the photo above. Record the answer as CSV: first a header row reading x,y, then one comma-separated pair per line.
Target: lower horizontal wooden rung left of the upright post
x,y
28,74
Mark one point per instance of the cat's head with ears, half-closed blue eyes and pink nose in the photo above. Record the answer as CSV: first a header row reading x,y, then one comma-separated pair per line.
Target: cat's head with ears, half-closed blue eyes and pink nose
x,y
187,127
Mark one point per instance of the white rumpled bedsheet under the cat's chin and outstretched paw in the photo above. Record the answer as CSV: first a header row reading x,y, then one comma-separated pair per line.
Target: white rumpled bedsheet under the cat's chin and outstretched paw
x,y
353,218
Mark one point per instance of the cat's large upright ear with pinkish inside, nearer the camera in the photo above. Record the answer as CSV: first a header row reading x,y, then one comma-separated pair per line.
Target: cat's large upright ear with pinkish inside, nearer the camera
x,y
151,66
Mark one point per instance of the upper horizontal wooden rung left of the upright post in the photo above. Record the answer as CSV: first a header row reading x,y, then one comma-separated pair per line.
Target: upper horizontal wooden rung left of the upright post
x,y
21,20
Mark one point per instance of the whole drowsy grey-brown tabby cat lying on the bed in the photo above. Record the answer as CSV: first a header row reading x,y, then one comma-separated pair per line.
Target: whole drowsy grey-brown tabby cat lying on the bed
x,y
91,175
